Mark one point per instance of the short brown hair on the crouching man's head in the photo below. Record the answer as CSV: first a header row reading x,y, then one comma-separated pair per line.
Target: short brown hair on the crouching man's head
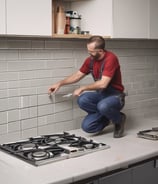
x,y
99,42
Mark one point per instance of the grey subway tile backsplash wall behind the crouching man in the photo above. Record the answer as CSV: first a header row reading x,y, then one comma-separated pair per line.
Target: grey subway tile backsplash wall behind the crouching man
x,y
28,67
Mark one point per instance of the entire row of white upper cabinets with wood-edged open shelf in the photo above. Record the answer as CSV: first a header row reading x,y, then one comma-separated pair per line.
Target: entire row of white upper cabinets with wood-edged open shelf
x,y
109,18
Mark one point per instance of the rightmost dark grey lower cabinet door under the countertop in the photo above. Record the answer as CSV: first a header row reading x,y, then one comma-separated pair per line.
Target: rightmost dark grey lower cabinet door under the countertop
x,y
145,173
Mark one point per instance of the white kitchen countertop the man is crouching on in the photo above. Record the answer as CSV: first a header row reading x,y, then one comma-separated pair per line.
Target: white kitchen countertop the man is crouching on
x,y
122,152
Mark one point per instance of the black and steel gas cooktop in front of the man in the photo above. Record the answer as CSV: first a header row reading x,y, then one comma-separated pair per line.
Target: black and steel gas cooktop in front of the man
x,y
50,148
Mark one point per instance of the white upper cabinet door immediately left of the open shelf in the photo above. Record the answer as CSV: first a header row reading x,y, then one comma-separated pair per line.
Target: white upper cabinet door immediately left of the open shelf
x,y
29,17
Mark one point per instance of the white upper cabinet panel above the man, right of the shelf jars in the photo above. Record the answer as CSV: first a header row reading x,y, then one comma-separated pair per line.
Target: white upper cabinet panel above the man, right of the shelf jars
x,y
96,16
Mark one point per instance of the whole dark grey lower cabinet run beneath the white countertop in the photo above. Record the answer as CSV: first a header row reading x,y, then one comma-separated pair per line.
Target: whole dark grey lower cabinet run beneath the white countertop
x,y
145,172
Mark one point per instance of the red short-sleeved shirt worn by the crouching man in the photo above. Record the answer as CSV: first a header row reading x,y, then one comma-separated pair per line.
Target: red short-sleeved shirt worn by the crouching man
x,y
111,69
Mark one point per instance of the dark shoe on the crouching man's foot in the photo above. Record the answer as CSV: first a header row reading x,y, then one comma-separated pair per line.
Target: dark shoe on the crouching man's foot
x,y
119,128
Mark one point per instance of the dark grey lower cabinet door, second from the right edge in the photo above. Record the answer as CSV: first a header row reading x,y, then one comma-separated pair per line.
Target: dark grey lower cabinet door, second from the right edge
x,y
123,177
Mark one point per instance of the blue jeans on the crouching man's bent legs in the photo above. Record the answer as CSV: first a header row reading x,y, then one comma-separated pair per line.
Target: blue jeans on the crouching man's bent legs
x,y
101,106
